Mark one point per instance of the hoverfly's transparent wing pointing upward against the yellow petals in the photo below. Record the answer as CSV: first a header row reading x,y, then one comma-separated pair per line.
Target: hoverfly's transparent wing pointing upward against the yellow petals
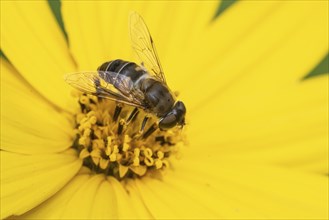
x,y
143,45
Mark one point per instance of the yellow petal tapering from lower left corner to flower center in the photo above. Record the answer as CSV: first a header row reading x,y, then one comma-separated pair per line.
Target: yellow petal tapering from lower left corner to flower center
x,y
28,180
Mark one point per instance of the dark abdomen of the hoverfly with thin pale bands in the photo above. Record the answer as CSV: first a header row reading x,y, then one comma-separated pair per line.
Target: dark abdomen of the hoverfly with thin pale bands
x,y
126,68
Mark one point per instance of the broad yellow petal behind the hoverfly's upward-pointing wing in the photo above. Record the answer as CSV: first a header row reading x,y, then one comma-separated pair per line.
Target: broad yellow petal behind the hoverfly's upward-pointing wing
x,y
104,34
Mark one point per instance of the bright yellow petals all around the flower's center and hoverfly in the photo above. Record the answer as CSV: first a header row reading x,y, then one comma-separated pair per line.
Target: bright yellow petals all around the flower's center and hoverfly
x,y
257,133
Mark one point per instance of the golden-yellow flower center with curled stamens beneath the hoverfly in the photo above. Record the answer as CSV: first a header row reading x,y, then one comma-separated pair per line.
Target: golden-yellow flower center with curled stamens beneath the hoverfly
x,y
120,140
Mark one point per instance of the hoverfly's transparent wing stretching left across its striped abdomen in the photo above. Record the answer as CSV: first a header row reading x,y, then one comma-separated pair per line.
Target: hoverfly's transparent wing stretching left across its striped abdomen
x,y
109,85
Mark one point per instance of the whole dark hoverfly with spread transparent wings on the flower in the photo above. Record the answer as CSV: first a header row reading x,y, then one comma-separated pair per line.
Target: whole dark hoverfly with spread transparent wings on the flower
x,y
143,86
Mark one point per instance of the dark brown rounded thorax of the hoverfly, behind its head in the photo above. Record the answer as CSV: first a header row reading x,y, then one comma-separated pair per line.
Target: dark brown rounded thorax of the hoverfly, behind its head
x,y
157,96
